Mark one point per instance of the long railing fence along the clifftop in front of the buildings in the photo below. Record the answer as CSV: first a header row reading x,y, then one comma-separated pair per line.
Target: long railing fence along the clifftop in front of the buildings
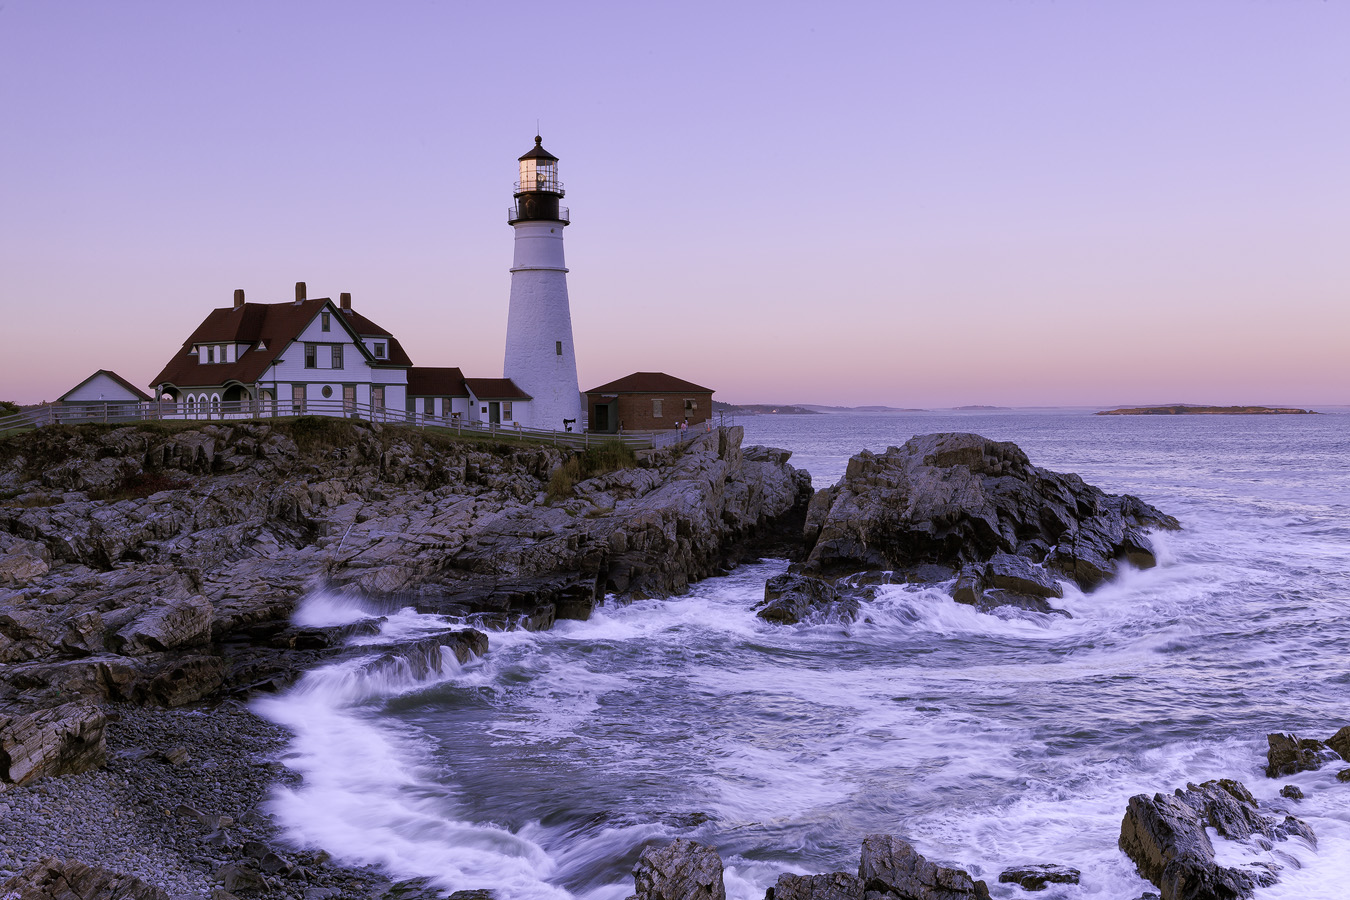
x,y
264,410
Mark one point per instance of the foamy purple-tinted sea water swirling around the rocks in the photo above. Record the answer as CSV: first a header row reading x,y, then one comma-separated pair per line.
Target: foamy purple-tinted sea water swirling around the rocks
x,y
986,740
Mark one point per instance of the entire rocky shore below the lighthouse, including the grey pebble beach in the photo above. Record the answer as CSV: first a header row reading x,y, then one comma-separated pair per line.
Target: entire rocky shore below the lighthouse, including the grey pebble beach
x,y
156,569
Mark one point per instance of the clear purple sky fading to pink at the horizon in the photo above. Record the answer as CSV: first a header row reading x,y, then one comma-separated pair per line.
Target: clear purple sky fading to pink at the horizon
x,y
915,204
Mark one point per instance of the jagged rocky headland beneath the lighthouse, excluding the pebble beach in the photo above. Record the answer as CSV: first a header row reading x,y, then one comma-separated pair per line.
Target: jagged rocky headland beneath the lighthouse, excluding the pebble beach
x,y
160,565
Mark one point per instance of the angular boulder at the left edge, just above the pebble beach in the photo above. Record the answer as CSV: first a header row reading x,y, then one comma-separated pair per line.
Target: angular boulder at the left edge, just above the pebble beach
x,y
47,741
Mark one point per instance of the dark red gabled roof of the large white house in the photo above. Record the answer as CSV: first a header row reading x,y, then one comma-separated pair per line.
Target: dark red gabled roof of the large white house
x,y
268,330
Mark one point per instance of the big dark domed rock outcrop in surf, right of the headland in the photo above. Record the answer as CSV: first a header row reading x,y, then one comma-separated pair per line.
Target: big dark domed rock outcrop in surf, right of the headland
x,y
962,507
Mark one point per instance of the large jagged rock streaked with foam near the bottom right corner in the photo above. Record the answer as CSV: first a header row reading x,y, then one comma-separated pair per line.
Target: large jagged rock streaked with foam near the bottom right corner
x,y
1166,839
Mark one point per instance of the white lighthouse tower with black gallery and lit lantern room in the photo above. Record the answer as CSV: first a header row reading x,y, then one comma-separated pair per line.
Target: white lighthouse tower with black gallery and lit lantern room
x,y
541,358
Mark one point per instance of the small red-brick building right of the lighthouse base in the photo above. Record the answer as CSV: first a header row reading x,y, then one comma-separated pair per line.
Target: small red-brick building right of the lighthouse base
x,y
647,403
